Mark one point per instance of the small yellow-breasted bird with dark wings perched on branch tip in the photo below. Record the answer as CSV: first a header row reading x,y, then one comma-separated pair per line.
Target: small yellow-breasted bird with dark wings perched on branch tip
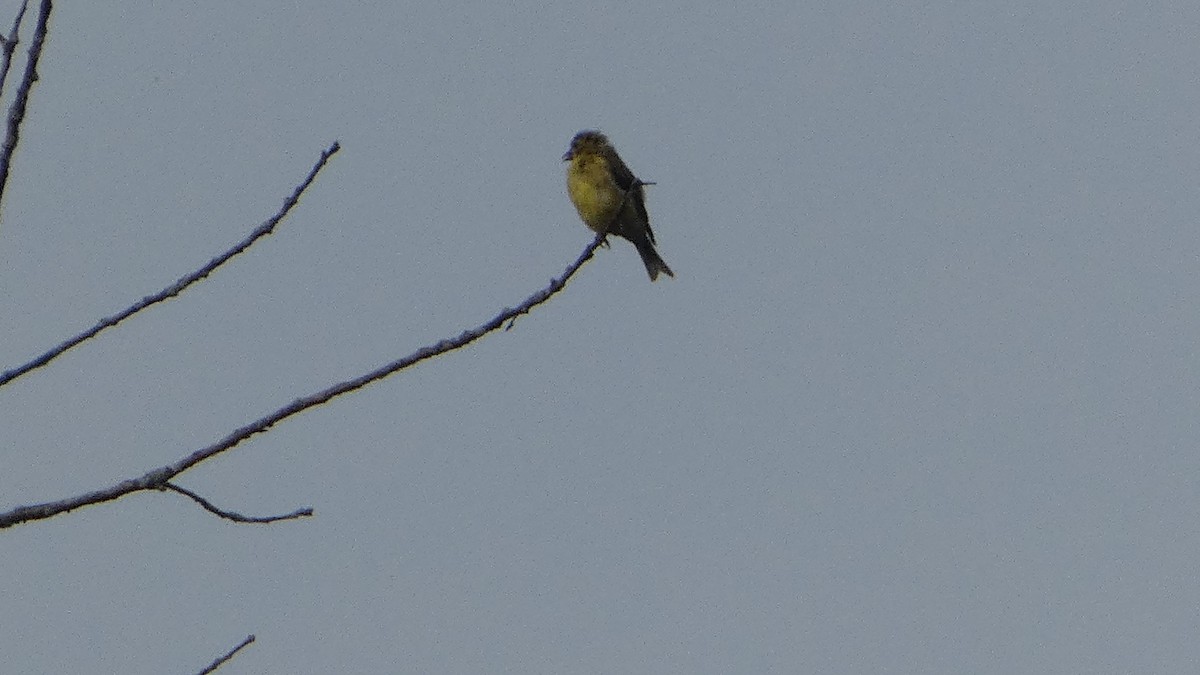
x,y
608,196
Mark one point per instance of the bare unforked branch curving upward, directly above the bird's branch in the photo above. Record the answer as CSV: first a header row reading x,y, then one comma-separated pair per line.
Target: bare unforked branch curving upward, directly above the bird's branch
x,y
183,284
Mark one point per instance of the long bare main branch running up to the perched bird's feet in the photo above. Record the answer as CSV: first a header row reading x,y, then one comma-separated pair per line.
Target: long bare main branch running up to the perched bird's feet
x,y
159,479
